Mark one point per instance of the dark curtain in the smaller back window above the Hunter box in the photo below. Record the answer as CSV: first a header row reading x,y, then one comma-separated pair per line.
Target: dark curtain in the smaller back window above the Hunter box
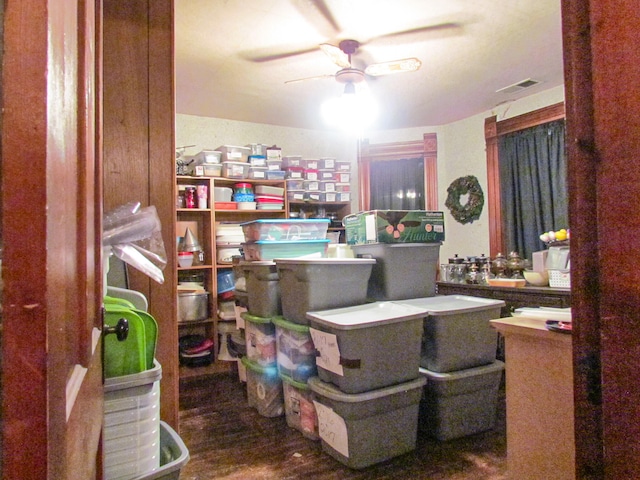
x,y
397,184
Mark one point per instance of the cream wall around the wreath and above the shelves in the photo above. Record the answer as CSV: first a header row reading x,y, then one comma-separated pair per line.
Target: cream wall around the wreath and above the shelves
x,y
461,151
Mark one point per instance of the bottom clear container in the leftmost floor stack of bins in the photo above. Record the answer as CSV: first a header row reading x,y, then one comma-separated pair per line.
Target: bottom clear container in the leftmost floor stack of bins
x,y
264,388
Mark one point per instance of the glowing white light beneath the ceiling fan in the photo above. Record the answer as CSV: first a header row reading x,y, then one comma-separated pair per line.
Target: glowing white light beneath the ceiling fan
x,y
352,111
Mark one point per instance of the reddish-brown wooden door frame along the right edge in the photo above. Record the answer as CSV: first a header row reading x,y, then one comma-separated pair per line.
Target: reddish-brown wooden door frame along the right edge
x,y
602,47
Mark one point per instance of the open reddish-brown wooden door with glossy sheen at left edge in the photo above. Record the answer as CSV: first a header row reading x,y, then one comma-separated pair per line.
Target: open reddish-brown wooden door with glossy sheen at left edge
x,y
51,227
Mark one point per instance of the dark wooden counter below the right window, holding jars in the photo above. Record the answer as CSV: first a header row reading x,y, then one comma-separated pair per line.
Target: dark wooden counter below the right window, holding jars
x,y
512,296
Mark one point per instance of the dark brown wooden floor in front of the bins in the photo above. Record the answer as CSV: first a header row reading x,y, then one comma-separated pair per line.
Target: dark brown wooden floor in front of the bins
x,y
229,440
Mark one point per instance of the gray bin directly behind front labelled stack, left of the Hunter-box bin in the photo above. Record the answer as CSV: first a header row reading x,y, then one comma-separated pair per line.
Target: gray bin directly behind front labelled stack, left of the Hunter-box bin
x,y
321,283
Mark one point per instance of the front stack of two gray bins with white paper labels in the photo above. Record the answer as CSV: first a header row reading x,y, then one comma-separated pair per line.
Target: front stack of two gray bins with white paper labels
x,y
368,388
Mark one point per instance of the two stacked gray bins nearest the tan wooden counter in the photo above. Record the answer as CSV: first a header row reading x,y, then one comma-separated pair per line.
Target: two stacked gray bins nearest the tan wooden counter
x,y
458,359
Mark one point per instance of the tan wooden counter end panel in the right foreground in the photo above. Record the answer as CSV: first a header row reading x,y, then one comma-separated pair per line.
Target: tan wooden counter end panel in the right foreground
x,y
539,396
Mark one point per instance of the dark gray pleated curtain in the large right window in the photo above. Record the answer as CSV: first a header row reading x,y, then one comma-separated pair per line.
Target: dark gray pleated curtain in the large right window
x,y
533,185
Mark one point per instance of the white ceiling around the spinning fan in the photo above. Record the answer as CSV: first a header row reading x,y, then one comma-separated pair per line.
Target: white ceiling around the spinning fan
x,y
474,48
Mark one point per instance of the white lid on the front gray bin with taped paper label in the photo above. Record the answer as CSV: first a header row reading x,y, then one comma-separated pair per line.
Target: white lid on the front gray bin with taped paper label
x,y
367,315
